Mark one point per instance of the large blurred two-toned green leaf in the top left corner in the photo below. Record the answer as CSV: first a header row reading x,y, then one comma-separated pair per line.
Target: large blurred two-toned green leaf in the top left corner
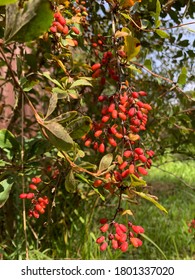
x,y
29,22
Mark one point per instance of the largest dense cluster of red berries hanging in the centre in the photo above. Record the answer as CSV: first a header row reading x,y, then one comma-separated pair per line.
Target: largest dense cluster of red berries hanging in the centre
x,y
123,116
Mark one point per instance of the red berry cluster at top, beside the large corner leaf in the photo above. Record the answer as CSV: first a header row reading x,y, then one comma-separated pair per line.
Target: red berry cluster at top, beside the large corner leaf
x,y
59,25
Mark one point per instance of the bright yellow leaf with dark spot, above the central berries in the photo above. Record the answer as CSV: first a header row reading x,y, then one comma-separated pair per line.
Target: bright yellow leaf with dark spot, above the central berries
x,y
132,45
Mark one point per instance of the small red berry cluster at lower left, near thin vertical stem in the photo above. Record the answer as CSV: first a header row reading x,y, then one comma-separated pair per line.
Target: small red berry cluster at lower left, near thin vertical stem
x,y
38,203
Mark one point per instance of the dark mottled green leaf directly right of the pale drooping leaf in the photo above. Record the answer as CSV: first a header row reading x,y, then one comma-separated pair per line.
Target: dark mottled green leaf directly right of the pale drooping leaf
x,y
79,127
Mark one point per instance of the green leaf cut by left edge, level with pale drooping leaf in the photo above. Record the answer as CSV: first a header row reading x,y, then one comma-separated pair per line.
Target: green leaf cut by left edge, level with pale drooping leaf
x,y
7,140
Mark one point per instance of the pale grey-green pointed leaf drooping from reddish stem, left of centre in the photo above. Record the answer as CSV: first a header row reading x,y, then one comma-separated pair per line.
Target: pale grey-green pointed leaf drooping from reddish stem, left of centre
x,y
58,136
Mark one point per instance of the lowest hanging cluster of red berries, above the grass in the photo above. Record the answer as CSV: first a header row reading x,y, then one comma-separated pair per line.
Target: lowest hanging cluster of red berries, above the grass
x,y
120,237
